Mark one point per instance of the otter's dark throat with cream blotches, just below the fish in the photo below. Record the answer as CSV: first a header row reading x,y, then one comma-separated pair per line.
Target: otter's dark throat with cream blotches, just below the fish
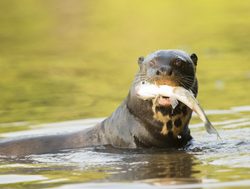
x,y
163,121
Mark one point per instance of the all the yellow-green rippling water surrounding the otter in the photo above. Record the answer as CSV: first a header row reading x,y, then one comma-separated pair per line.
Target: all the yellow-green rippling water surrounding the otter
x,y
74,60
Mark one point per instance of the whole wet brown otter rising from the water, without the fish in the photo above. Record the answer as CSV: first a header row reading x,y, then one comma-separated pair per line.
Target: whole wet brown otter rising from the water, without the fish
x,y
135,123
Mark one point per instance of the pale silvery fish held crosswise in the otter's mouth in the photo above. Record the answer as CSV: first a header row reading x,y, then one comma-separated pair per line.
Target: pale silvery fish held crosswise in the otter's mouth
x,y
147,91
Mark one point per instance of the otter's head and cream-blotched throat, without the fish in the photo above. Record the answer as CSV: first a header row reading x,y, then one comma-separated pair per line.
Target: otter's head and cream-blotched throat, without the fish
x,y
164,67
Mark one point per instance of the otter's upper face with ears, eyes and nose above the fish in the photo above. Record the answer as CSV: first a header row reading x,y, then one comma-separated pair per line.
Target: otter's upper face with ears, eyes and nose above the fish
x,y
170,67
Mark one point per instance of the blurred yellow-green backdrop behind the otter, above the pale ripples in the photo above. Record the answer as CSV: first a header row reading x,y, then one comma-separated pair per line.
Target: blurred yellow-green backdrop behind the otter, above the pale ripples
x,y
72,59
